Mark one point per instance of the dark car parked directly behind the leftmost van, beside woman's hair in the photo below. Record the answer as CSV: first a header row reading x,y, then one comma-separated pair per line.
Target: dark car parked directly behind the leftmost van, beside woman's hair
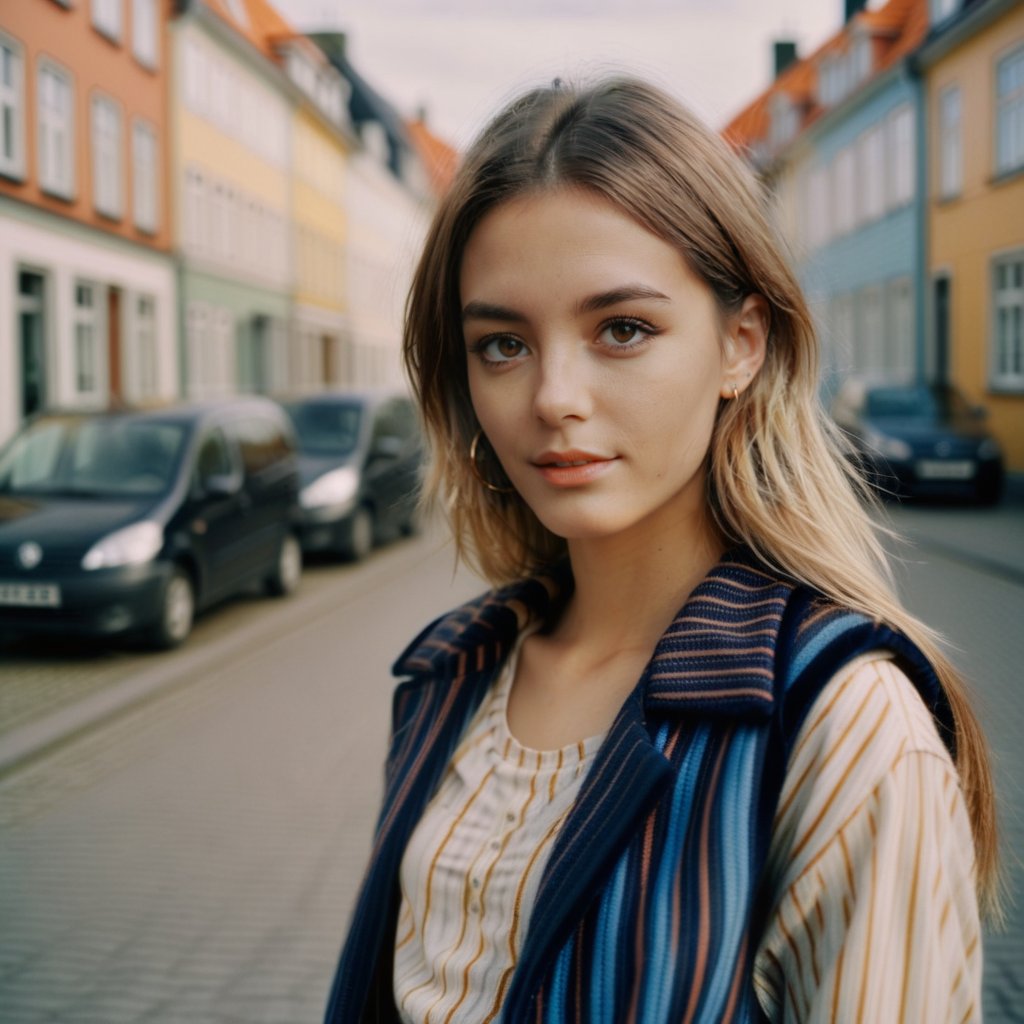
x,y
361,456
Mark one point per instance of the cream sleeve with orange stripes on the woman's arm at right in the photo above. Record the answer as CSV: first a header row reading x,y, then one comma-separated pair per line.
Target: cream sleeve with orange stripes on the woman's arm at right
x,y
872,863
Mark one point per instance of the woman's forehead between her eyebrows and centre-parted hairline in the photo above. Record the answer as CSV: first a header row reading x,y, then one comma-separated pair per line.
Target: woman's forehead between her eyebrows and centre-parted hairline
x,y
566,239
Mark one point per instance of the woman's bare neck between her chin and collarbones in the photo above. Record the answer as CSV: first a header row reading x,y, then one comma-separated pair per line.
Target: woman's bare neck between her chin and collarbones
x,y
629,589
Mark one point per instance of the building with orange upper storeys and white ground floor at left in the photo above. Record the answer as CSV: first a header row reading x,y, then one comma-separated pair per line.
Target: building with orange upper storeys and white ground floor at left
x,y
87,278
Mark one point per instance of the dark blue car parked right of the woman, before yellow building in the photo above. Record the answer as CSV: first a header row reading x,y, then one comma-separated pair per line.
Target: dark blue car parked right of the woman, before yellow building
x,y
921,441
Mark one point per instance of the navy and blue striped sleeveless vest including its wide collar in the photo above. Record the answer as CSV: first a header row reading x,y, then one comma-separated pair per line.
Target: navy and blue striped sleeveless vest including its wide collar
x,y
651,908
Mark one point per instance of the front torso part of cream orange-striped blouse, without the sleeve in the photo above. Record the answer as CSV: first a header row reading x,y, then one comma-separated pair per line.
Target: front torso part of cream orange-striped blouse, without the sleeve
x,y
474,865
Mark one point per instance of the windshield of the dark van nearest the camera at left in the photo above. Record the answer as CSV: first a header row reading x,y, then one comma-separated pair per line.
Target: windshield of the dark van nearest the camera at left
x,y
103,457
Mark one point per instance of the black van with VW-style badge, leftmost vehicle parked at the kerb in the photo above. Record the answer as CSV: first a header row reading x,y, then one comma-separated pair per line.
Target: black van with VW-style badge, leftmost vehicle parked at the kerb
x,y
129,523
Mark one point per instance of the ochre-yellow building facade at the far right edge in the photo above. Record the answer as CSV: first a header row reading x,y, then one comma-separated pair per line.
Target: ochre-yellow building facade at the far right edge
x,y
974,83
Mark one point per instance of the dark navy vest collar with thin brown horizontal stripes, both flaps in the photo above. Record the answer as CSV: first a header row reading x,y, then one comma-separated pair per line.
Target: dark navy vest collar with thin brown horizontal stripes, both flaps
x,y
718,657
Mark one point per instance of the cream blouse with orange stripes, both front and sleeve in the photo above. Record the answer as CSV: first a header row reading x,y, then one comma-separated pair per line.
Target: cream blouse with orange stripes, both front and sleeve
x,y
872,863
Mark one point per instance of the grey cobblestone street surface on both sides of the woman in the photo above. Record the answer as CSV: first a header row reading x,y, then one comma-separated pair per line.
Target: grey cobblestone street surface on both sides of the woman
x,y
192,856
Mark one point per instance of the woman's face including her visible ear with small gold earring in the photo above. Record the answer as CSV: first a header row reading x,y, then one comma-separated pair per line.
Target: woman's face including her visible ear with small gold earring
x,y
596,363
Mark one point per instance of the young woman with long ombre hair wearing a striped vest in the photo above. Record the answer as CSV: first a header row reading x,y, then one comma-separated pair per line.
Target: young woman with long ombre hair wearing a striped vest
x,y
691,760
